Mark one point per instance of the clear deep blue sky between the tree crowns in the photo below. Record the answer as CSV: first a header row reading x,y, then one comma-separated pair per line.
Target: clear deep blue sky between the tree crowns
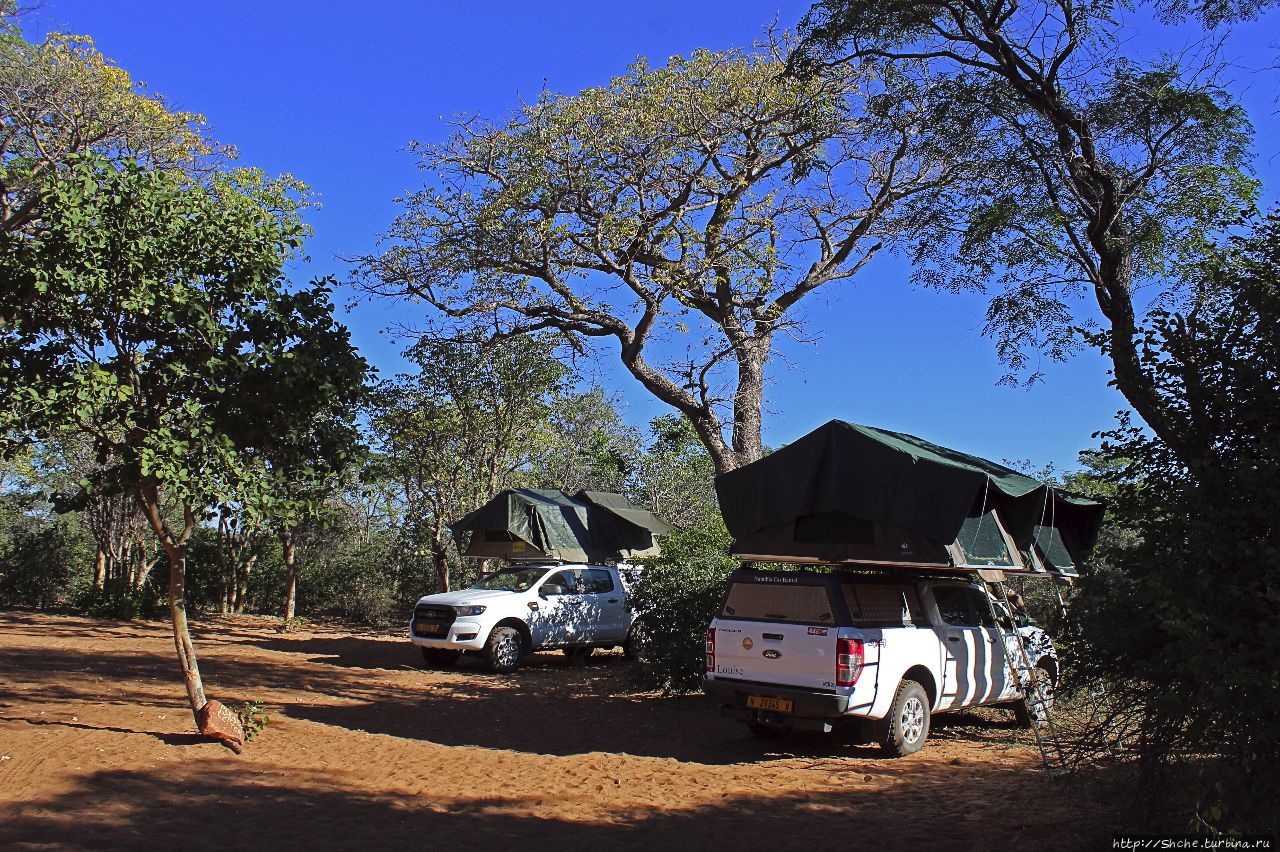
x,y
333,93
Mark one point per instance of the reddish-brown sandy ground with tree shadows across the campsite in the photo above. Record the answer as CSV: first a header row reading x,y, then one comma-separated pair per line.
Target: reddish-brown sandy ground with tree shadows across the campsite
x,y
368,750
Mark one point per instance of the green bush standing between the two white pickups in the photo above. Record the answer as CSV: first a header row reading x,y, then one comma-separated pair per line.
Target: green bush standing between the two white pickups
x,y
675,601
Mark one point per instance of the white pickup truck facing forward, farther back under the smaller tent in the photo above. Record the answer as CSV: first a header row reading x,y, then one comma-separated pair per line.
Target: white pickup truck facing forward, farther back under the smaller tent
x,y
525,608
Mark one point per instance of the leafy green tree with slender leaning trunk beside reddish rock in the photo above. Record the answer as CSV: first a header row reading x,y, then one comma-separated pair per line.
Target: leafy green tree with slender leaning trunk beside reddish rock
x,y
163,331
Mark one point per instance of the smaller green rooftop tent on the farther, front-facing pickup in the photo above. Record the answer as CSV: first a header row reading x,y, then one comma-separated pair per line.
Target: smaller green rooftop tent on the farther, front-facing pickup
x,y
536,524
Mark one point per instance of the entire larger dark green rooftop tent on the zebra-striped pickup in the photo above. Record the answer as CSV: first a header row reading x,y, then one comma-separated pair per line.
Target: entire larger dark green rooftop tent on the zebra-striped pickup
x,y
857,494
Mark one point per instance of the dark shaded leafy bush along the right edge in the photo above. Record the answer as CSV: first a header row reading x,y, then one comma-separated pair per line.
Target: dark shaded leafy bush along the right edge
x,y
1186,622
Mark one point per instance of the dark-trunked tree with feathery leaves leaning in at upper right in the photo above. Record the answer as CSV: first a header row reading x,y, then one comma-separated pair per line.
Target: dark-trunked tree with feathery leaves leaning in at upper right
x,y
1096,176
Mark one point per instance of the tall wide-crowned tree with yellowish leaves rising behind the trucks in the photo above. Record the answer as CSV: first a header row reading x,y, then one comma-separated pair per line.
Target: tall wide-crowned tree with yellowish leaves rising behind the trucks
x,y
682,213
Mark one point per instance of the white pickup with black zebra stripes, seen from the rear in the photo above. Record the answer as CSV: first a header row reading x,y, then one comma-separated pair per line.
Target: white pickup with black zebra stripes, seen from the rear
x,y
880,653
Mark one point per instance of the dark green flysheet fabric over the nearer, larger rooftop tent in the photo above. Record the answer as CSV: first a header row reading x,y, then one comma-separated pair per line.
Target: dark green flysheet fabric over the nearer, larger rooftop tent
x,y
900,482
